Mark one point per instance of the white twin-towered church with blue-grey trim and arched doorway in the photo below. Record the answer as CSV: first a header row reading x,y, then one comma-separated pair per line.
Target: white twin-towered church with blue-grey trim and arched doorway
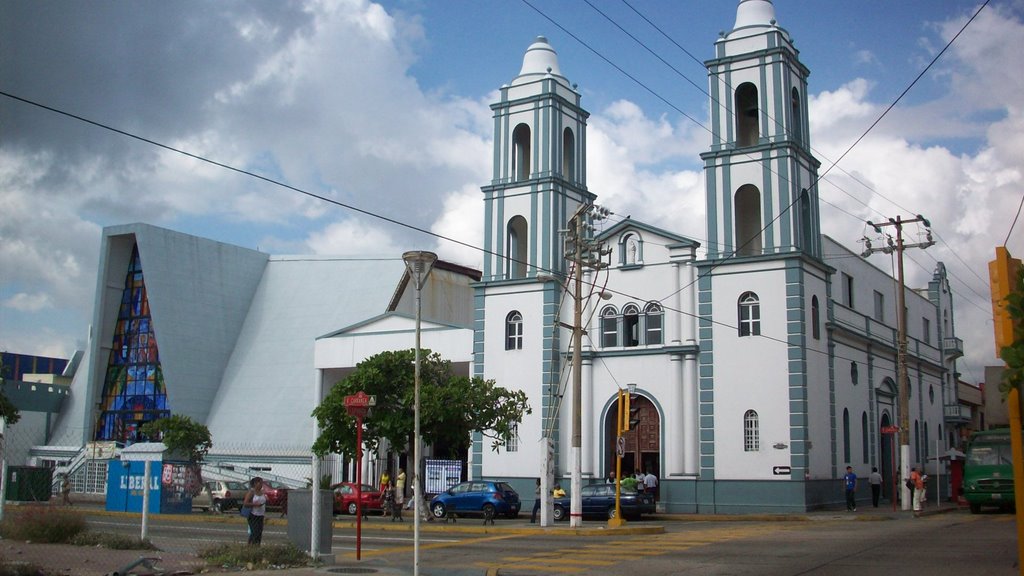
x,y
760,369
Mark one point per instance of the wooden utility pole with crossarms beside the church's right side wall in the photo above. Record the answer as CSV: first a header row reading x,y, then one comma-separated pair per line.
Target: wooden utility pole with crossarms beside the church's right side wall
x,y
905,392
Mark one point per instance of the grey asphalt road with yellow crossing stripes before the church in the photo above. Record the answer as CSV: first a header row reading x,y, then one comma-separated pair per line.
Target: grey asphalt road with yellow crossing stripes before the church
x,y
834,545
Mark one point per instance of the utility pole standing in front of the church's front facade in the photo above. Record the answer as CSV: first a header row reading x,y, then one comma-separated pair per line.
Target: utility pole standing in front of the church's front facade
x,y
584,252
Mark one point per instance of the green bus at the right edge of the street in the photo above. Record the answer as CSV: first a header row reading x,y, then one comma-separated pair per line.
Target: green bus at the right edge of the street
x,y
989,471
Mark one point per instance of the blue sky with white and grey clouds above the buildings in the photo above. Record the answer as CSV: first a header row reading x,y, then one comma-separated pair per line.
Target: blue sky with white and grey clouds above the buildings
x,y
385,107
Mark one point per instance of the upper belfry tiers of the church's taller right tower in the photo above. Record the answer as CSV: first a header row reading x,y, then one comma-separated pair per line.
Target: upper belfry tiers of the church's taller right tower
x,y
761,178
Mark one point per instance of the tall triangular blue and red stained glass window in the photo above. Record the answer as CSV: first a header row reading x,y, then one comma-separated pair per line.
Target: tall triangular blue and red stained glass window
x,y
135,392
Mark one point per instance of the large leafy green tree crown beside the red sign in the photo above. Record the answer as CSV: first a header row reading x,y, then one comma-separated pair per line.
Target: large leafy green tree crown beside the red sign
x,y
452,407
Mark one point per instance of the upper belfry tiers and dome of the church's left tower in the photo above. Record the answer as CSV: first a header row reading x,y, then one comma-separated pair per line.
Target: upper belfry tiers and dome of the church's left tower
x,y
539,170
